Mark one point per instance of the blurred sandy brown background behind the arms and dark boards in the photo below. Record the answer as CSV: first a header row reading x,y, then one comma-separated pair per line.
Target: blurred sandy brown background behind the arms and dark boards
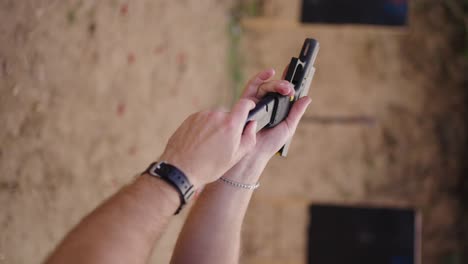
x,y
91,90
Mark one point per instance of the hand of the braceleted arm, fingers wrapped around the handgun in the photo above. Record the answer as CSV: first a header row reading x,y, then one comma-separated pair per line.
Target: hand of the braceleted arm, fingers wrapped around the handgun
x,y
268,141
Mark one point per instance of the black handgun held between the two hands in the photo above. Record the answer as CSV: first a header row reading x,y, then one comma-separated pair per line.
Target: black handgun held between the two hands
x,y
274,107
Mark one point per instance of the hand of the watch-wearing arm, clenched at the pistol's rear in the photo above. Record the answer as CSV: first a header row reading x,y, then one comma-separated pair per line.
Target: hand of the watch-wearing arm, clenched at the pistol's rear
x,y
209,143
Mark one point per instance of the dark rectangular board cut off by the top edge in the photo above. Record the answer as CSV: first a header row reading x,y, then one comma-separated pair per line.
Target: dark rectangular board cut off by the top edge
x,y
372,12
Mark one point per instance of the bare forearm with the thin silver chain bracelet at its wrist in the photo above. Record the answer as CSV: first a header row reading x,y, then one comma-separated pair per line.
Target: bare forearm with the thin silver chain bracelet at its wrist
x,y
212,231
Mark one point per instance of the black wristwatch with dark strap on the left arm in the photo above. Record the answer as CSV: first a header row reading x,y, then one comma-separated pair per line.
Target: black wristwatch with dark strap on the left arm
x,y
175,177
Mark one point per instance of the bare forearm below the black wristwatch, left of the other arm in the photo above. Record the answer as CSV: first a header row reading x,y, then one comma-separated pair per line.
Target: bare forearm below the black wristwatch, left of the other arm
x,y
123,229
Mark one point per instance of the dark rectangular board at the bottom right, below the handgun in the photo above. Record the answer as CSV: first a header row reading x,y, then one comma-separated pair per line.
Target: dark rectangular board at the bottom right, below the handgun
x,y
341,234
